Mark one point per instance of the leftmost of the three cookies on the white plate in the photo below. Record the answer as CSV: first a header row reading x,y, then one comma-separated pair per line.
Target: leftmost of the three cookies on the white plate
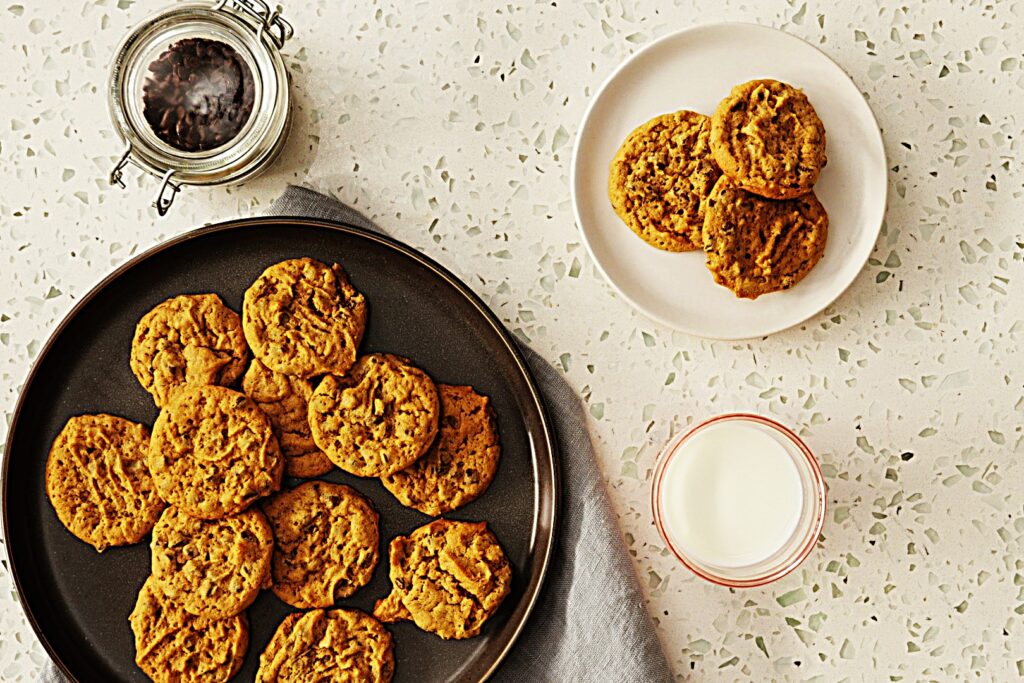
x,y
661,178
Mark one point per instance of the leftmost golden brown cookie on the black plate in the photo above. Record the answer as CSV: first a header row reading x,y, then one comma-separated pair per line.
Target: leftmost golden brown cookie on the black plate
x,y
99,482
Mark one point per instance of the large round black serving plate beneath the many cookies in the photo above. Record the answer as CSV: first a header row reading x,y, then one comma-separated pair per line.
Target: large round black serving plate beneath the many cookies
x,y
79,601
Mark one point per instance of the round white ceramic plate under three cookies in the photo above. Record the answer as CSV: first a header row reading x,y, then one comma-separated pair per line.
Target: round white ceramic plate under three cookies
x,y
696,69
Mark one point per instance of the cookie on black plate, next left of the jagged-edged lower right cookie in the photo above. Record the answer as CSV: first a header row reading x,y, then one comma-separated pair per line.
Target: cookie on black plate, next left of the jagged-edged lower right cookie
x,y
326,538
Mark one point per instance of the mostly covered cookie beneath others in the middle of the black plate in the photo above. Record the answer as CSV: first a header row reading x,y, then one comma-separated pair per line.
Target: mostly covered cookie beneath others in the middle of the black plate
x,y
285,401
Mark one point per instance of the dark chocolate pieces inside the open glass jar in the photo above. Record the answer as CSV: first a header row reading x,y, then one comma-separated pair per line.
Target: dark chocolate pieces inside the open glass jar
x,y
198,96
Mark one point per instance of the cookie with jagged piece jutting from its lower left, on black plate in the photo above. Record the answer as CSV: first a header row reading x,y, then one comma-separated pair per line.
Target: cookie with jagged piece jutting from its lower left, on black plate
x,y
451,577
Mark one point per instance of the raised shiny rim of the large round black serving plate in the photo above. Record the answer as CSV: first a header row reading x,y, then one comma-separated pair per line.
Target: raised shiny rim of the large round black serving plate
x,y
550,505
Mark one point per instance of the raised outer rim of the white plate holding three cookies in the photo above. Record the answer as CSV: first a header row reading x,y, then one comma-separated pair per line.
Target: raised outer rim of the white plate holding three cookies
x,y
575,179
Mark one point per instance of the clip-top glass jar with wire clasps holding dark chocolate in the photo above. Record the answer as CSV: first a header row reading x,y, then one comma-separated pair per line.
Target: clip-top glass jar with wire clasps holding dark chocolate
x,y
199,95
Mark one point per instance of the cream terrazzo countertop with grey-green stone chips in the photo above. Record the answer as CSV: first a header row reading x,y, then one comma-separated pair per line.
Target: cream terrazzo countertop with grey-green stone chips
x,y
451,123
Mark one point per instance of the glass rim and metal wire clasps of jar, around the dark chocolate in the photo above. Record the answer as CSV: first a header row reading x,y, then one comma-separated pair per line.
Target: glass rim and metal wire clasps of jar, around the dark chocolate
x,y
254,34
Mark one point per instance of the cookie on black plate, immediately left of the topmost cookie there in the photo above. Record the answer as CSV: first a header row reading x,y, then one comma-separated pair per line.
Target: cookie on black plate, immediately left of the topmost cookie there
x,y
193,339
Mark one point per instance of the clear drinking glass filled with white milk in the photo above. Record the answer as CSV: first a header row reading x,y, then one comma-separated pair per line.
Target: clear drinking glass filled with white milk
x,y
740,500
